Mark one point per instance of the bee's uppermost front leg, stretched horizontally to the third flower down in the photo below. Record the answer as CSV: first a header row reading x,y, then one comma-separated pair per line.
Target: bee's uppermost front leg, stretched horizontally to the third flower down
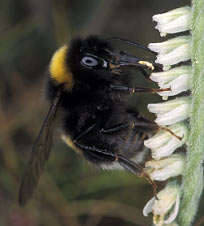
x,y
129,90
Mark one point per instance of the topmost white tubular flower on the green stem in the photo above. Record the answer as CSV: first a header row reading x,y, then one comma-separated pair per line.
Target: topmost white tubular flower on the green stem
x,y
174,21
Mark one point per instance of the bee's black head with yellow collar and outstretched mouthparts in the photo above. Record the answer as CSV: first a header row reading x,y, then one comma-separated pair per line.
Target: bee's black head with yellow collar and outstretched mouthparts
x,y
89,60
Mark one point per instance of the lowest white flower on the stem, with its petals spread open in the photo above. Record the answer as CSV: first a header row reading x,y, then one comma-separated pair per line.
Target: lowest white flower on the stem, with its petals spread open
x,y
165,209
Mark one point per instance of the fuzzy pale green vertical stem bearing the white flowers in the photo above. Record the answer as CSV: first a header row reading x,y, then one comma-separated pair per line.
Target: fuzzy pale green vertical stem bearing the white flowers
x,y
193,177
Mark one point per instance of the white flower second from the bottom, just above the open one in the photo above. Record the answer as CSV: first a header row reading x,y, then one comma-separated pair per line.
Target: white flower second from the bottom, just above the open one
x,y
165,168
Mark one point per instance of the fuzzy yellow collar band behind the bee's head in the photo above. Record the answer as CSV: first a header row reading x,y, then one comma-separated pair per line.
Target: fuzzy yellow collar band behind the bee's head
x,y
59,70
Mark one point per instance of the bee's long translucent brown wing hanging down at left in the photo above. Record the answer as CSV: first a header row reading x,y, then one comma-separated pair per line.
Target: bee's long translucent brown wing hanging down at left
x,y
39,155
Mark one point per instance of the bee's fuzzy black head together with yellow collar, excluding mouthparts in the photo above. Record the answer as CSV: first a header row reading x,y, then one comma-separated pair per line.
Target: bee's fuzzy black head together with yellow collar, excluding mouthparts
x,y
84,60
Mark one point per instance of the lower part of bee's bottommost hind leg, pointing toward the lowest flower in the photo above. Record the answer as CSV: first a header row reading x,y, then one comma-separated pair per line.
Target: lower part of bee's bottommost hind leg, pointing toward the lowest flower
x,y
136,169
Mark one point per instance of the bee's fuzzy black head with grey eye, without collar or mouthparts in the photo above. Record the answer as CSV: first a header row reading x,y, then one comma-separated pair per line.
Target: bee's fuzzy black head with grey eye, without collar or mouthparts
x,y
89,59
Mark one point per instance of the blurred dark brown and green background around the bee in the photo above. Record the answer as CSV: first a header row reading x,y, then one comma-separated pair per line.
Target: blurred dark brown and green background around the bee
x,y
71,191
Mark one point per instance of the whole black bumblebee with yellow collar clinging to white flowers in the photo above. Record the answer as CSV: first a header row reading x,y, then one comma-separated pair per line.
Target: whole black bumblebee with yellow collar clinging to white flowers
x,y
88,90
